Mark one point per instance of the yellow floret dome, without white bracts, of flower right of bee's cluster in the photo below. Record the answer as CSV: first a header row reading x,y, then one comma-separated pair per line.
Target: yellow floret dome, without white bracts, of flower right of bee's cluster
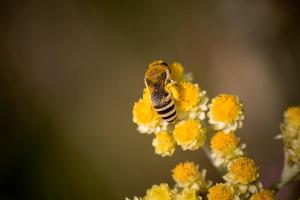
x,y
225,108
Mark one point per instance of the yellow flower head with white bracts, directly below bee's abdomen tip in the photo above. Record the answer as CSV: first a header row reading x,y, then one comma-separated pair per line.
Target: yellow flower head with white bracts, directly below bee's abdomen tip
x,y
189,134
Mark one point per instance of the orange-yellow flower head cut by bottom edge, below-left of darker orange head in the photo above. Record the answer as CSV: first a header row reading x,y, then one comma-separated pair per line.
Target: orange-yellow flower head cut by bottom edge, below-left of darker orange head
x,y
220,191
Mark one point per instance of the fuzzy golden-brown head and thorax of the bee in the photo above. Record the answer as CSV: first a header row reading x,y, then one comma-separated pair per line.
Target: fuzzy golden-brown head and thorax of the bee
x,y
157,75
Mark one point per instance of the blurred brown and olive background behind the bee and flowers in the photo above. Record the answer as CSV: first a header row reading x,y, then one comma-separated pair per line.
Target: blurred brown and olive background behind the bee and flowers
x,y
71,71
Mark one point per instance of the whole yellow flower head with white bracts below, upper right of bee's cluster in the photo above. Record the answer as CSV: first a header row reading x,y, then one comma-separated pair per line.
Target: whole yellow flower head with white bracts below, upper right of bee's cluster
x,y
225,112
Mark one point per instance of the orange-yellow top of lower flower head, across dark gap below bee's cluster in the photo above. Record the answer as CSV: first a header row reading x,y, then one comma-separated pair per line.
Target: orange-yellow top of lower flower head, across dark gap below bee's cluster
x,y
186,173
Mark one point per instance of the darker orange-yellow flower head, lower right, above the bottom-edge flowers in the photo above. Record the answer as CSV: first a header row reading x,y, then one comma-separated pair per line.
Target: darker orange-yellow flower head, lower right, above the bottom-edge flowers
x,y
242,170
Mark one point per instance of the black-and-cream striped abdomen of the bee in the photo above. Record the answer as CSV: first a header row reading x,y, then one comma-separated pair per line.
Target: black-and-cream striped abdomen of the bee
x,y
166,110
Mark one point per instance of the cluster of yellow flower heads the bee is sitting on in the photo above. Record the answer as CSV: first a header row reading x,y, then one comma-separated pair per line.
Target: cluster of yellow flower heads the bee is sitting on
x,y
190,104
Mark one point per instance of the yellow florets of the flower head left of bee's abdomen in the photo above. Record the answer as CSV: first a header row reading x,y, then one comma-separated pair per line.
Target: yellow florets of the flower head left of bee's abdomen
x,y
144,114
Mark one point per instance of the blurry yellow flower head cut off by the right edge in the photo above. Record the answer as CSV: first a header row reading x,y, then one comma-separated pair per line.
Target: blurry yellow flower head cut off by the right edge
x,y
291,134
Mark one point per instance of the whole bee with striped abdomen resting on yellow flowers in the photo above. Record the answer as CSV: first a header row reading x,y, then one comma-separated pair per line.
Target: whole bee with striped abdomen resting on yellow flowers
x,y
157,77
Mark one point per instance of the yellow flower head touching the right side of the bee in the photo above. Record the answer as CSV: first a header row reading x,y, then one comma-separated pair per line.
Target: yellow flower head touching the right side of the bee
x,y
186,95
